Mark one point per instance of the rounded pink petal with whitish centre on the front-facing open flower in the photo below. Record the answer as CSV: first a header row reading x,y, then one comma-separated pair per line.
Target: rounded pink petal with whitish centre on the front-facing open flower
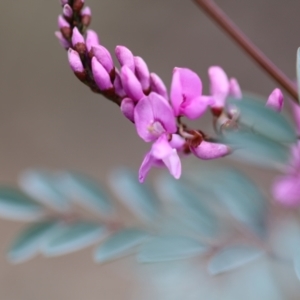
x,y
153,116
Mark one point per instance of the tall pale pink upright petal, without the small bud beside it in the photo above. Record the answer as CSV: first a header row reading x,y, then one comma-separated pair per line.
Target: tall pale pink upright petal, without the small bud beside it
x,y
219,86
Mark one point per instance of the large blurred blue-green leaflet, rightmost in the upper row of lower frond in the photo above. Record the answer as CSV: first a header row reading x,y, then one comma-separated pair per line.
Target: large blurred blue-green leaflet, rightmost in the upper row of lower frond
x,y
240,196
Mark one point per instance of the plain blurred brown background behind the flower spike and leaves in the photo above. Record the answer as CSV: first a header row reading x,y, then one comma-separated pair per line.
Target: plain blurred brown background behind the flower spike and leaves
x,y
49,119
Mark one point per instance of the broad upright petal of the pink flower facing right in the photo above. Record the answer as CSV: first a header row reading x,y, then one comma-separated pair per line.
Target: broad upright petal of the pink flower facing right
x,y
185,86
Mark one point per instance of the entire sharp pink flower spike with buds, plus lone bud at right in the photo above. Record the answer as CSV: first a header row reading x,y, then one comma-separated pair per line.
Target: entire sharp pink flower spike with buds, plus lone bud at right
x,y
143,97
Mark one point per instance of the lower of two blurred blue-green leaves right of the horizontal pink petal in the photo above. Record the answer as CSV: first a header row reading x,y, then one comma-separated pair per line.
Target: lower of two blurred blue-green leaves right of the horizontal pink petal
x,y
257,149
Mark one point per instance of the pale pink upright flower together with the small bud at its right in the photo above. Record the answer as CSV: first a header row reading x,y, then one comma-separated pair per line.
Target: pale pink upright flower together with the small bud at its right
x,y
221,87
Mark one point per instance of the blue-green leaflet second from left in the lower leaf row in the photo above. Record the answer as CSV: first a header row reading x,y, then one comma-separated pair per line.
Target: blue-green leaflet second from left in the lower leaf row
x,y
72,238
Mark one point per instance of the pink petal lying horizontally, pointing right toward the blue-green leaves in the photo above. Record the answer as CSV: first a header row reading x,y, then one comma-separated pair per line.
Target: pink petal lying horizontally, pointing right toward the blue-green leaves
x,y
208,150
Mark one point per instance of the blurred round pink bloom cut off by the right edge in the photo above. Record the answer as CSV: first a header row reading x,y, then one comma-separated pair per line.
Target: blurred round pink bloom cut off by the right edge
x,y
286,190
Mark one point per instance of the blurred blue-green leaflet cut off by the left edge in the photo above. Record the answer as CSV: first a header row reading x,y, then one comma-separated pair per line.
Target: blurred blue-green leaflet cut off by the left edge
x,y
17,206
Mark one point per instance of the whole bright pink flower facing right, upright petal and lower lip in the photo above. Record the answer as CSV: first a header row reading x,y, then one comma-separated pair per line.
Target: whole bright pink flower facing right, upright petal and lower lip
x,y
186,91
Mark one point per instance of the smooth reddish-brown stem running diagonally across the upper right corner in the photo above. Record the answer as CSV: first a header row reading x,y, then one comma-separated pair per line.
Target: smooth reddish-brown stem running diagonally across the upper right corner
x,y
212,9
